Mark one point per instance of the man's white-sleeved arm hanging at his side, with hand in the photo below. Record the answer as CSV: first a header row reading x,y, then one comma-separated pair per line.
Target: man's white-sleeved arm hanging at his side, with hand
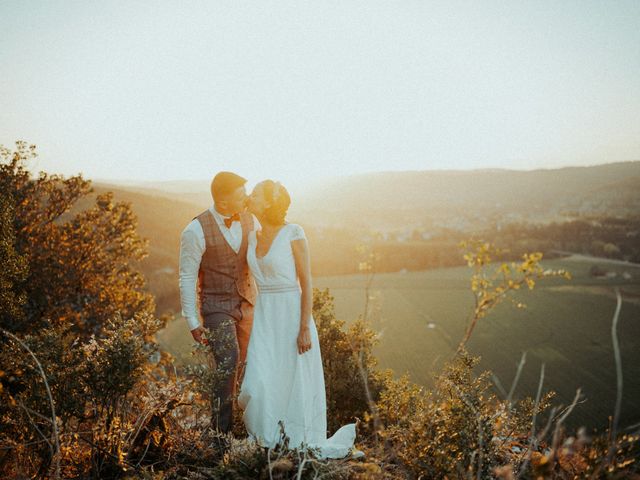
x,y
192,247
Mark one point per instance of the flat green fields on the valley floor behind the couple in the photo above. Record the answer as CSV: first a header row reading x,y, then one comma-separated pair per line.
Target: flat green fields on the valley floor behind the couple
x,y
567,325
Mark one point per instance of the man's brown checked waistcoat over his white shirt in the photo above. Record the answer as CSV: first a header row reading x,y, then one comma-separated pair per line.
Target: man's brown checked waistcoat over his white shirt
x,y
224,279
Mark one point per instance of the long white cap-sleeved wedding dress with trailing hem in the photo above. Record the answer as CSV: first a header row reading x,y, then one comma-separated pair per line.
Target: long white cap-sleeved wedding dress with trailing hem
x,y
279,383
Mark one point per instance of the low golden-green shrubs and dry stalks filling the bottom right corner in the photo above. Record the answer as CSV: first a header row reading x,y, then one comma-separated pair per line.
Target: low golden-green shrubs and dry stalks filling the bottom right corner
x,y
460,430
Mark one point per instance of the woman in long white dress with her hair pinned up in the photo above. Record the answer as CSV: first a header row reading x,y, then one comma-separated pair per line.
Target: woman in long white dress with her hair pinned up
x,y
284,379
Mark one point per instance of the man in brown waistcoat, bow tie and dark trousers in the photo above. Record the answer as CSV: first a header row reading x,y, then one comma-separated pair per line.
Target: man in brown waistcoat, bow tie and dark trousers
x,y
213,256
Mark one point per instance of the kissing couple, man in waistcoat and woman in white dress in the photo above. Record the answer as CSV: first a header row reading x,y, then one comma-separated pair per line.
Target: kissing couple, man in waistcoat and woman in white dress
x,y
266,340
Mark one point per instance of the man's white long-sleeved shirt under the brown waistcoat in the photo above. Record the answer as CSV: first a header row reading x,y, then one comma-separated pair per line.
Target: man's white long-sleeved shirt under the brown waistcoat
x,y
192,247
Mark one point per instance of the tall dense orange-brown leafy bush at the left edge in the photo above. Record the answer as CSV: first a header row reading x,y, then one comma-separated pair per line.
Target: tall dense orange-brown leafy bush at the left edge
x,y
71,291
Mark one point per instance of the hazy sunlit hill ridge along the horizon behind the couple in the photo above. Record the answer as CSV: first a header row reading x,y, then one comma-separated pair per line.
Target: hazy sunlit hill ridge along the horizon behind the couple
x,y
460,199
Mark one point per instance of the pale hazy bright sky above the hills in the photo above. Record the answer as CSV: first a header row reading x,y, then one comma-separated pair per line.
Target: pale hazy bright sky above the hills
x,y
300,90
